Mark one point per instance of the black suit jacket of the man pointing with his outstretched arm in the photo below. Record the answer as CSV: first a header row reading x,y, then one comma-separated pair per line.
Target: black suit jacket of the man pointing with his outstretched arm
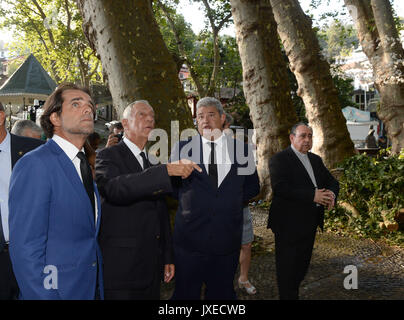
x,y
135,231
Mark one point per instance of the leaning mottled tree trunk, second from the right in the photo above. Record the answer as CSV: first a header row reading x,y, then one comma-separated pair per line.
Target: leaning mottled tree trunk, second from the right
x,y
331,137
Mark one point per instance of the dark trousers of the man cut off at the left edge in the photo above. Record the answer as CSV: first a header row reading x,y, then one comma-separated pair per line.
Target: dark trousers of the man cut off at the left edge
x,y
8,284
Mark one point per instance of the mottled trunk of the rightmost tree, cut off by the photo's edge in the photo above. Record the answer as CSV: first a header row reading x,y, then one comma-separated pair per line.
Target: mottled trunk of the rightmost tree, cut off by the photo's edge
x,y
381,44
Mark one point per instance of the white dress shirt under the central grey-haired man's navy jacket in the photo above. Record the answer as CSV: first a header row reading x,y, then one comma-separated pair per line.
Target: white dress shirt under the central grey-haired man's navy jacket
x,y
222,157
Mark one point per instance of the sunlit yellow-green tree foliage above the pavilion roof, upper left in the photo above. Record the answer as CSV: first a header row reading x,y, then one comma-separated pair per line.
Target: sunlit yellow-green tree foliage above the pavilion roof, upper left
x,y
52,32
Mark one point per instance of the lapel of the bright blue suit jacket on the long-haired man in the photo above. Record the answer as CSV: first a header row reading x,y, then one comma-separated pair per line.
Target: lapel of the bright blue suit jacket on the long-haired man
x,y
72,176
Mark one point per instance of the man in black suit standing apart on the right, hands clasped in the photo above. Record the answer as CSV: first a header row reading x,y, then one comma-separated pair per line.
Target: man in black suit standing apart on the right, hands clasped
x,y
302,187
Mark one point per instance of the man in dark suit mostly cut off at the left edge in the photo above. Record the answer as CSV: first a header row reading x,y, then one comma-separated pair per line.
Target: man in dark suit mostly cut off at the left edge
x,y
12,148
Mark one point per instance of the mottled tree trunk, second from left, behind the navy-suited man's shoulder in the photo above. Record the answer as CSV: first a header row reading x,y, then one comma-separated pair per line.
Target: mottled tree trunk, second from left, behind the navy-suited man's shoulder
x,y
265,81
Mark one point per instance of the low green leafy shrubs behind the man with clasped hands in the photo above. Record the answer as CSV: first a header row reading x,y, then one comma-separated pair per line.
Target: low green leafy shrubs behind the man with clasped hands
x,y
372,186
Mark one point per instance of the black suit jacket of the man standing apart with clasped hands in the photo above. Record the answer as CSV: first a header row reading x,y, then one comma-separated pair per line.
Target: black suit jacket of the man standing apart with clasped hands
x,y
292,209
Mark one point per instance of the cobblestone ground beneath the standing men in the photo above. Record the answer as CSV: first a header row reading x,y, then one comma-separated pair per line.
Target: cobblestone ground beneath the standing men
x,y
380,268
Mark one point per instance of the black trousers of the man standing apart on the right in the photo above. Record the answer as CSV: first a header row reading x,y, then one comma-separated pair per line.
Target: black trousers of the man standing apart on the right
x,y
292,262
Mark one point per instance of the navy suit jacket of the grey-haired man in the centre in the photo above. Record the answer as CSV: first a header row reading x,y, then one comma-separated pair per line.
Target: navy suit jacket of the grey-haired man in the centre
x,y
209,220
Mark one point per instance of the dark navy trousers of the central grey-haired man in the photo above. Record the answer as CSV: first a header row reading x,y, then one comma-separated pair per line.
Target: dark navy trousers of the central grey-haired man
x,y
194,269
